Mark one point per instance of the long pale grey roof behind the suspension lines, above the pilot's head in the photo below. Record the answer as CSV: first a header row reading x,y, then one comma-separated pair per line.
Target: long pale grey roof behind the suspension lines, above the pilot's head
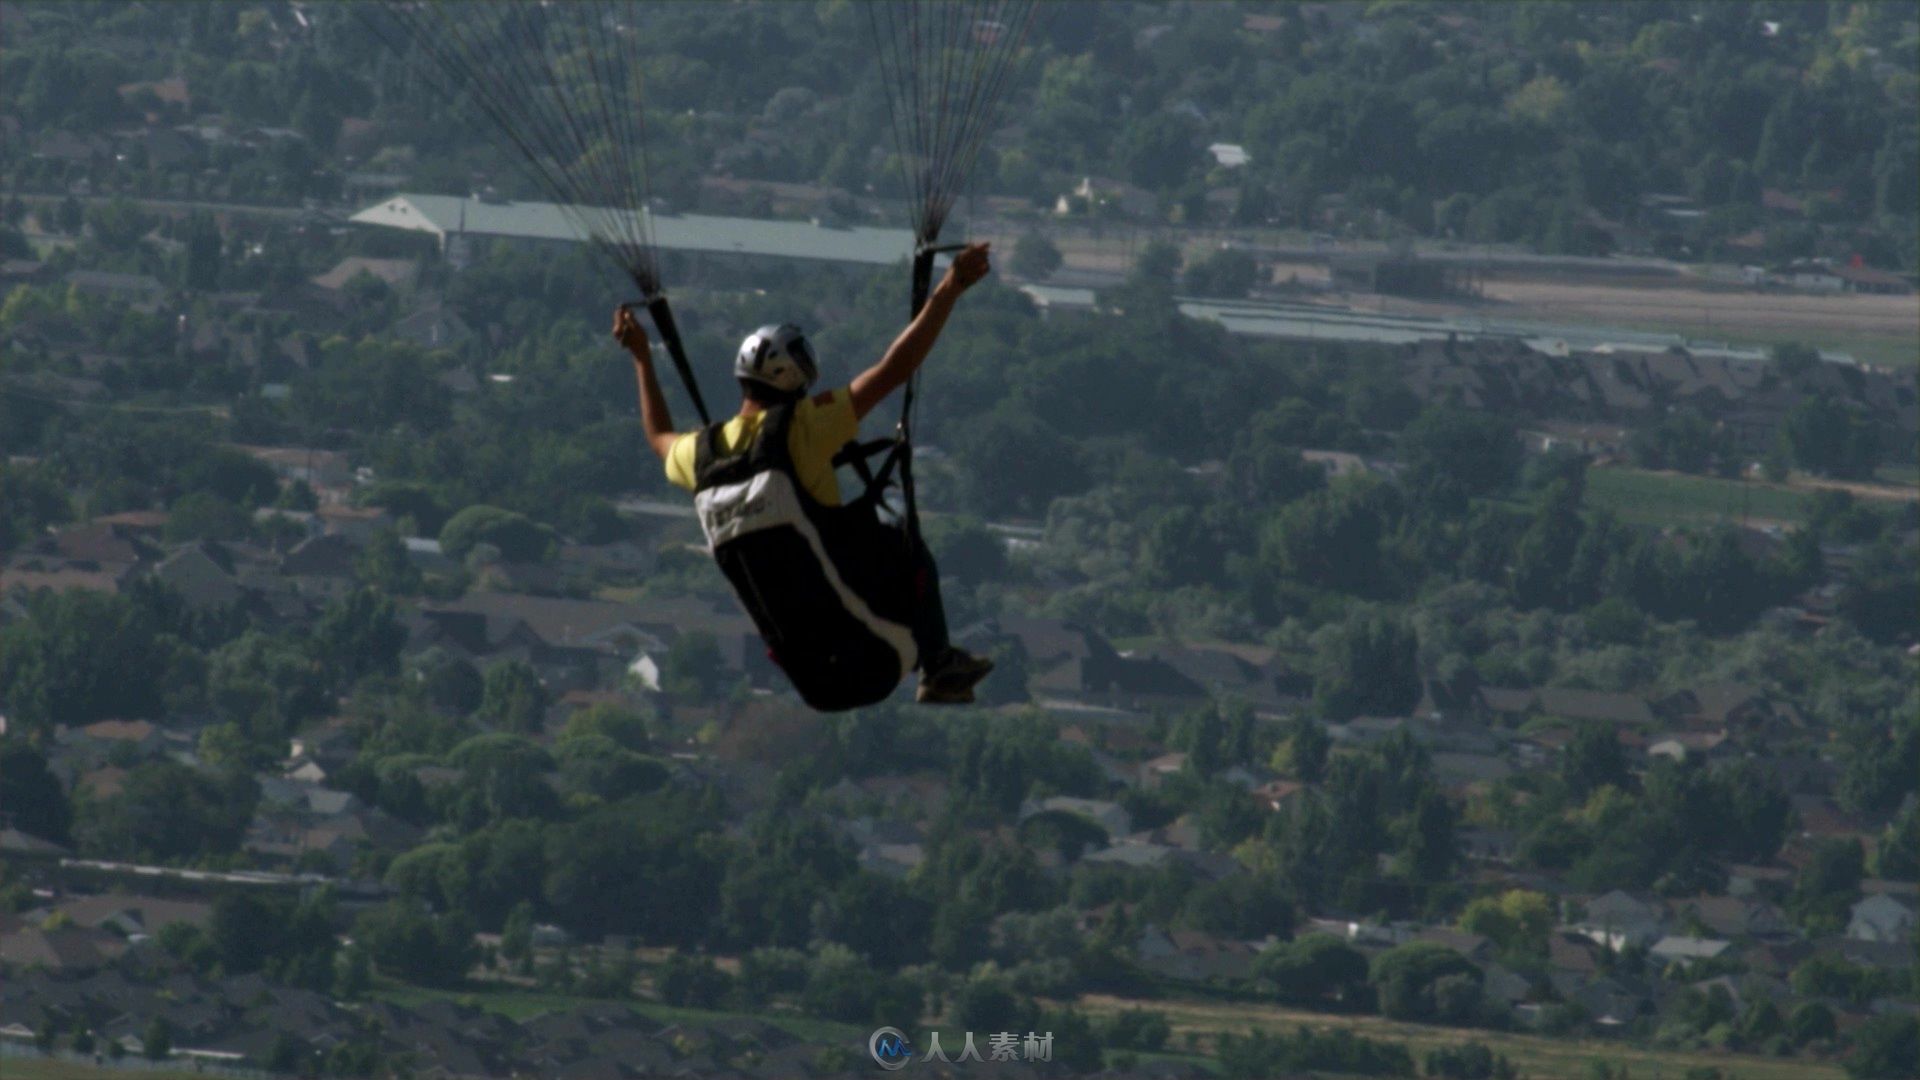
x,y
443,216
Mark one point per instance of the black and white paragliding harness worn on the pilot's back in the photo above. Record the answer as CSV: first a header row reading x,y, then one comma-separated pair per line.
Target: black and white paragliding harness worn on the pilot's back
x,y
819,581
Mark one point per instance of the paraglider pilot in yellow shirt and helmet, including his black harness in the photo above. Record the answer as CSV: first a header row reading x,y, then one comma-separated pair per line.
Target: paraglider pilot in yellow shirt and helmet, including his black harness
x,y
846,602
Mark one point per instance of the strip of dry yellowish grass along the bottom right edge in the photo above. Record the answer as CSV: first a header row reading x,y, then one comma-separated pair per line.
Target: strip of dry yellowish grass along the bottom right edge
x,y
1535,1058
